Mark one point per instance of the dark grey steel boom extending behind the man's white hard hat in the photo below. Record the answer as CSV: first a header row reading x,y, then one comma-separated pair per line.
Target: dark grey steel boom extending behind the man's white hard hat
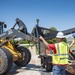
x,y
52,34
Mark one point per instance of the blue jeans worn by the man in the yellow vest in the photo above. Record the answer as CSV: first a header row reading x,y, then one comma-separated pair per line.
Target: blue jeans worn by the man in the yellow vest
x,y
58,70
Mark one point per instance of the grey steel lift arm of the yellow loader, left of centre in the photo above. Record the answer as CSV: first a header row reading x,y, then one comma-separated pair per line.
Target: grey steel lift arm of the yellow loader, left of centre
x,y
19,33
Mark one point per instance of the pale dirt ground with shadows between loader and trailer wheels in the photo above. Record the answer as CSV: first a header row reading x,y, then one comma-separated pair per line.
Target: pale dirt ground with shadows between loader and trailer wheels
x,y
33,68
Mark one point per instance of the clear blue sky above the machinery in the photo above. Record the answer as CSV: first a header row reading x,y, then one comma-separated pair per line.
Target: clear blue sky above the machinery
x,y
52,13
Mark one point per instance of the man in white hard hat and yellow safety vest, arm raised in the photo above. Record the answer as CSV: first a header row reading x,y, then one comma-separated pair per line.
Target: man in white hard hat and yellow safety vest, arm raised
x,y
60,55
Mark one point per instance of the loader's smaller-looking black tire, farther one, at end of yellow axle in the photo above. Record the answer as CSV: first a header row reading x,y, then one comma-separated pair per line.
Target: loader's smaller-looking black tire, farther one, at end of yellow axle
x,y
26,56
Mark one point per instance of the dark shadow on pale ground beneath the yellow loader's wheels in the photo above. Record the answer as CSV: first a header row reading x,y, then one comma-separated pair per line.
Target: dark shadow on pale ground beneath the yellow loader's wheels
x,y
15,69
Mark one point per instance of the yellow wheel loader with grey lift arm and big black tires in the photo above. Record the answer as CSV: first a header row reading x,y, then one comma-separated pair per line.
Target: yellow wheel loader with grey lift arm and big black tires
x,y
13,53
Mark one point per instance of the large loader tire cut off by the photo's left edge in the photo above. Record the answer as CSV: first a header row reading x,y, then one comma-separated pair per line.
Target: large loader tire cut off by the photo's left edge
x,y
6,61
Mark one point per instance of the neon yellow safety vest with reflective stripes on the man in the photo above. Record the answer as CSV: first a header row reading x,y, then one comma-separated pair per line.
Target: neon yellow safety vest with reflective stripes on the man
x,y
61,57
